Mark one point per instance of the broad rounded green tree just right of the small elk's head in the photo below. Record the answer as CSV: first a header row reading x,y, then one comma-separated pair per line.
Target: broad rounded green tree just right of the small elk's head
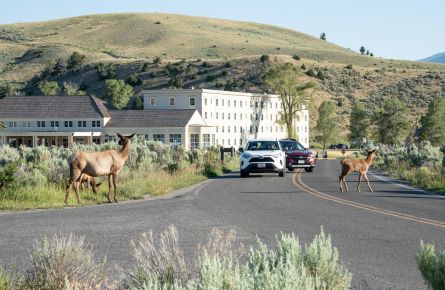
x,y
391,122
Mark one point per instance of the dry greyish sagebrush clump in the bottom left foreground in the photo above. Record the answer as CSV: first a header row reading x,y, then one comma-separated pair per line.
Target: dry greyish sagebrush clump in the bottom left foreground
x,y
61,261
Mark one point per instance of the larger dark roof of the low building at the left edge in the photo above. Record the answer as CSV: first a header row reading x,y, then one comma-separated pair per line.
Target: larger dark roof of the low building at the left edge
x,y
52,107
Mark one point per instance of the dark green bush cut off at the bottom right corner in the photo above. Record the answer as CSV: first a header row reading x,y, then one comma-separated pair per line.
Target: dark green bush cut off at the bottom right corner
x,y
432,266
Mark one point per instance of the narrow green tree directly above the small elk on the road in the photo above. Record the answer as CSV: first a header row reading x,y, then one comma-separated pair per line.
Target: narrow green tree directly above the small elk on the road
x,y
360,122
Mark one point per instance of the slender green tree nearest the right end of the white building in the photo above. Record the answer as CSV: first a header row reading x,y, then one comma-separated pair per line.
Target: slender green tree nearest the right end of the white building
x,y
327,123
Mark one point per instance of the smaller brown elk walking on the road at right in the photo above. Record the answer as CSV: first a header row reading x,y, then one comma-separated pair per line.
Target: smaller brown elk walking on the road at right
x,y
358,165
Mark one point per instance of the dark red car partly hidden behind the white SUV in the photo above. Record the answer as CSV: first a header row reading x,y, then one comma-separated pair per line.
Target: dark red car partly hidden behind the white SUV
x,y
297,156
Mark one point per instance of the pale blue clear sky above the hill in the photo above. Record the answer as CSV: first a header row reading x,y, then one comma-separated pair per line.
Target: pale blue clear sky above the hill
x,y
410,29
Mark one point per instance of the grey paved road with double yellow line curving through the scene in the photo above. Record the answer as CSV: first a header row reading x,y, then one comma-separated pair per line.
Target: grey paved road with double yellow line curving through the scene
x,y
377,234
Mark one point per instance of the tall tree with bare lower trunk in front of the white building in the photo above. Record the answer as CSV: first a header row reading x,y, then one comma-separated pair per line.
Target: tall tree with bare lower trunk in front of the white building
x,y
284,80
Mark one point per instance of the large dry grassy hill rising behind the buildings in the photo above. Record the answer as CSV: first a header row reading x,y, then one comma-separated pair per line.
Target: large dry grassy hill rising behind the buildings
x,y
209,53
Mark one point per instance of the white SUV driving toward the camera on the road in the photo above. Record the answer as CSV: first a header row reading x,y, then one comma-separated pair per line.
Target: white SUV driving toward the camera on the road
x,y
262,155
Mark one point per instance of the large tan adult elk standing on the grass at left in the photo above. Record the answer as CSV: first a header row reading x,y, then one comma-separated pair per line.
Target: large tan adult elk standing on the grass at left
x,y
94,164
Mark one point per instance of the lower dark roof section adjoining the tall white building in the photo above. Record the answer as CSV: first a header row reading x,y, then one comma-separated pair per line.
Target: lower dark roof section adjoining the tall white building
x,y
149,118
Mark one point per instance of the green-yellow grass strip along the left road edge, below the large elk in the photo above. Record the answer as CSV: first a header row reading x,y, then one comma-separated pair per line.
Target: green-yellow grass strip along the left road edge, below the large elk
x,y
134,184
